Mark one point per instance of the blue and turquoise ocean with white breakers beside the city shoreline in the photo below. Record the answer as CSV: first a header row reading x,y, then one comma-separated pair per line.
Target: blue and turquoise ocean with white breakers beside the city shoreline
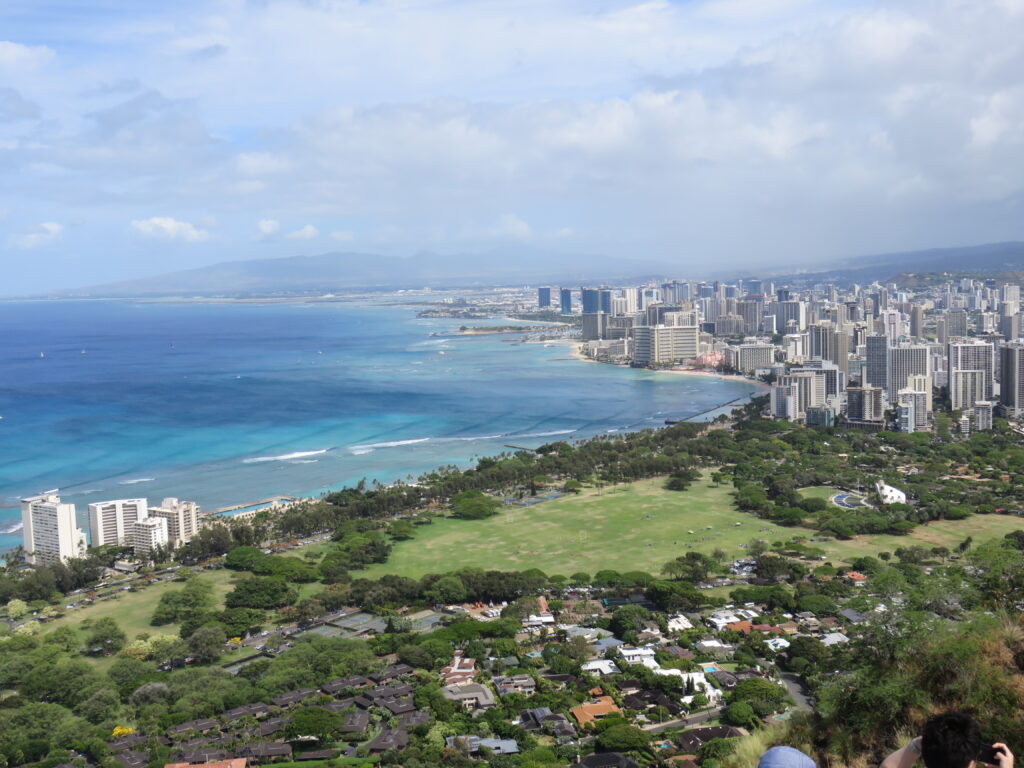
x,y
225,404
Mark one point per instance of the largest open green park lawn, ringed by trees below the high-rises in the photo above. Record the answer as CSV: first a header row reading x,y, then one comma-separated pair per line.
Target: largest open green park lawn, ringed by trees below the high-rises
x,y
638,527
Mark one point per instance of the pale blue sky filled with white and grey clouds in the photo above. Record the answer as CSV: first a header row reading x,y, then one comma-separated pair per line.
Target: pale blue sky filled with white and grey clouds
x,y
143,138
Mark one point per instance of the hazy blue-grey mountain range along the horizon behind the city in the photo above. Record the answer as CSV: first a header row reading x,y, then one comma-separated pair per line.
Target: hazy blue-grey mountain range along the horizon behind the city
x,y
348,272
